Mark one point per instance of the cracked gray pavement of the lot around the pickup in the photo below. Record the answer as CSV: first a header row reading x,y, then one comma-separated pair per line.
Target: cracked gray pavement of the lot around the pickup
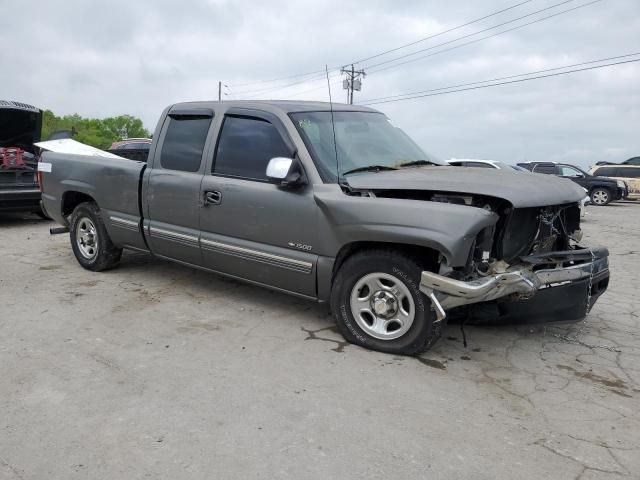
x,y
154,370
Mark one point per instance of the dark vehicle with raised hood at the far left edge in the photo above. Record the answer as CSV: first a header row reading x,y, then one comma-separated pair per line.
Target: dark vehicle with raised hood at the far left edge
x,y
20,128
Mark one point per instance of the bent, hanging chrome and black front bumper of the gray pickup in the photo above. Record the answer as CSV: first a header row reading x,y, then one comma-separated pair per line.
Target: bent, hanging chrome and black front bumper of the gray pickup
x,y
554,286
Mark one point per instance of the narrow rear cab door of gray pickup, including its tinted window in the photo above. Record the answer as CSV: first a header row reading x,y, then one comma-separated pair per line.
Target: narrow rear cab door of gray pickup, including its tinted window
x,y
173,190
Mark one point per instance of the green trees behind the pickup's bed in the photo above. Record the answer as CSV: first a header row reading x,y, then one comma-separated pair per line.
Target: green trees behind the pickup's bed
x,y
99,133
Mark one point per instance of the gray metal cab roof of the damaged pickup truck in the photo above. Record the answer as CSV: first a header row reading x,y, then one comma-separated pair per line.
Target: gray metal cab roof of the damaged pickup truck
x,y
286,106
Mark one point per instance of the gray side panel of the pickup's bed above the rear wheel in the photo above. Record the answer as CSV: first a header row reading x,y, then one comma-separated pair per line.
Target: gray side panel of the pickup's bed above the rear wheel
x,y
114,184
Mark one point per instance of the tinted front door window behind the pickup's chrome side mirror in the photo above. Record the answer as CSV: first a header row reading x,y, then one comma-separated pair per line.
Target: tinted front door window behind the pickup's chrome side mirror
x,y
245,147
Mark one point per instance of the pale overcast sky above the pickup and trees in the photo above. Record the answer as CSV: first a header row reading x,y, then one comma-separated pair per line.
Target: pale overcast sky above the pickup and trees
x,y
103,58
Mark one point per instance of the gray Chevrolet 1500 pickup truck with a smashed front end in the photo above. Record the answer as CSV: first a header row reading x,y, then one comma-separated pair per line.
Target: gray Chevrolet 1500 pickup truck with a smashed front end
x,y
334,204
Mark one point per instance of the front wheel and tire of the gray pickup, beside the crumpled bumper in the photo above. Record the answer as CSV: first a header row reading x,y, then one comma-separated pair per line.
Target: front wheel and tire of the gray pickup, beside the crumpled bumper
x,y
377,304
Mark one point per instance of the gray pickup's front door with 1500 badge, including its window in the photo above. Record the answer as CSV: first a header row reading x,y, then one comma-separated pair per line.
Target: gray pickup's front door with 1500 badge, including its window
x,y
251,228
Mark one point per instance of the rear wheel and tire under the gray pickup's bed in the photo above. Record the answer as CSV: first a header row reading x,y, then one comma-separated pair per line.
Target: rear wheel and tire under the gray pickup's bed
x,y
90,241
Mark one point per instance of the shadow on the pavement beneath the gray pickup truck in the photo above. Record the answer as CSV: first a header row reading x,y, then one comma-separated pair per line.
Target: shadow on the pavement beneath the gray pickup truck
x,y
314,320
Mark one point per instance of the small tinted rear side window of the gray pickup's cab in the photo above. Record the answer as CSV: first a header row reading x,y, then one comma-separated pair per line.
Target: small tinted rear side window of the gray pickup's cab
x,y
184,142
